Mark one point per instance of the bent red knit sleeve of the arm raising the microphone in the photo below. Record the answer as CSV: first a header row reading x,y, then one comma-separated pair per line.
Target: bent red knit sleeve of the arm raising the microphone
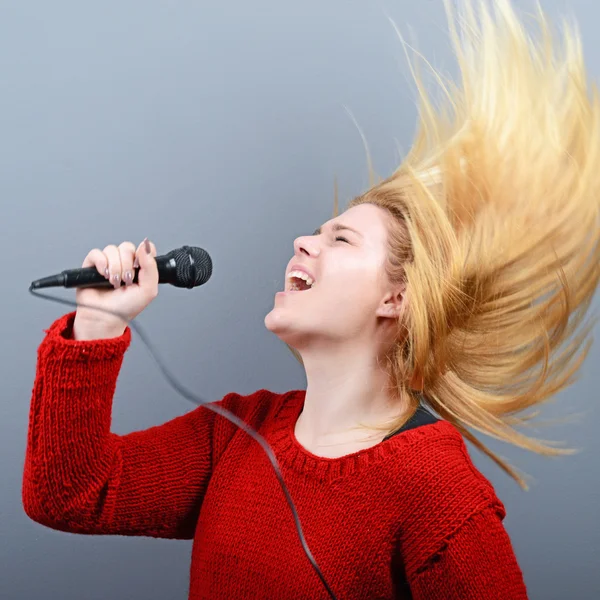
x,y
81,478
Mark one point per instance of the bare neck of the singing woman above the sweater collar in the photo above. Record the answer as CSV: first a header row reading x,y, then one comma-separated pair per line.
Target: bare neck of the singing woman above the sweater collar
x,y
346,388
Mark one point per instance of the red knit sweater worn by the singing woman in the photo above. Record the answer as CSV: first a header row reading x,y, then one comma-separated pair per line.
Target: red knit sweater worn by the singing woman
x,y
411,515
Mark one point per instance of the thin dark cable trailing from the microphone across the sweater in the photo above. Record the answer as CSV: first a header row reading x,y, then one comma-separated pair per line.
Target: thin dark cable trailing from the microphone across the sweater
x,y
217,409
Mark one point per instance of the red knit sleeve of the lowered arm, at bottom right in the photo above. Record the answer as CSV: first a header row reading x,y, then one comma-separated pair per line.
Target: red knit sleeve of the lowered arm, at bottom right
x,y
476,563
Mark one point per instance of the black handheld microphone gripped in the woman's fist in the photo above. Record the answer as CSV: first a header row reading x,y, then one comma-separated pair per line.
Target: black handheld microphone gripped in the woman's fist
x,y
185,267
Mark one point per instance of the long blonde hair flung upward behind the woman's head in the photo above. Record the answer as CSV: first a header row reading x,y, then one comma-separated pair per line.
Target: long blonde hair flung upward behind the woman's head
x,y
496,229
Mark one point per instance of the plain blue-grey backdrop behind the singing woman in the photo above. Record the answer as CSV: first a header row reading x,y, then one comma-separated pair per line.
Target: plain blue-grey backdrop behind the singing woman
x,y
220,123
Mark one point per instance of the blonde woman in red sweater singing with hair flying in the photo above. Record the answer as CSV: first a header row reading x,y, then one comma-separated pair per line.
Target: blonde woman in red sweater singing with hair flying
x,y
452,284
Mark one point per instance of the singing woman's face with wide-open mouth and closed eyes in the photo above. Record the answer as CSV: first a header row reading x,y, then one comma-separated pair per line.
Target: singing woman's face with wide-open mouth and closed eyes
x,y
345,259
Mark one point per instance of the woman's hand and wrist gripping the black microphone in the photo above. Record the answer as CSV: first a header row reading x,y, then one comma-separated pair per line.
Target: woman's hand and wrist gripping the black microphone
x,y
117,264
